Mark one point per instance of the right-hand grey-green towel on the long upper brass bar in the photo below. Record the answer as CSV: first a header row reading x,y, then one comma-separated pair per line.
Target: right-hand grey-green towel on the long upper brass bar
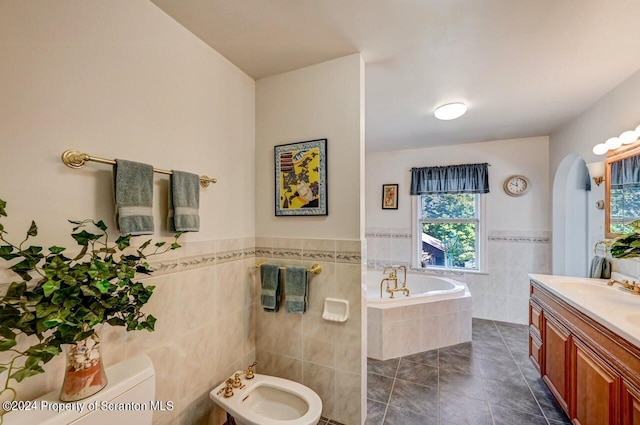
x,y
184,201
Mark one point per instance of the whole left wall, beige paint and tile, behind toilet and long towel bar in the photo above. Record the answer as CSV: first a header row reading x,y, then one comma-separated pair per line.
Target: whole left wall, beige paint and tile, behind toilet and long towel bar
x,y
120,79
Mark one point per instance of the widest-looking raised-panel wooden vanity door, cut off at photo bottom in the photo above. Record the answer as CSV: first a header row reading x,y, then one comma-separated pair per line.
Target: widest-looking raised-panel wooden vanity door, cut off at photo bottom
x,y
594,388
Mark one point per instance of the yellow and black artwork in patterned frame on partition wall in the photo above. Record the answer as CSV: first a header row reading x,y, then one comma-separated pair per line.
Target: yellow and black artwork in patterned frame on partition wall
x,y
301,178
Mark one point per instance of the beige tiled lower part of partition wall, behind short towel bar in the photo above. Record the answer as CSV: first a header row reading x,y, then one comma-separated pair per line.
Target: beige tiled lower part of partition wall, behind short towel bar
x,y
329,357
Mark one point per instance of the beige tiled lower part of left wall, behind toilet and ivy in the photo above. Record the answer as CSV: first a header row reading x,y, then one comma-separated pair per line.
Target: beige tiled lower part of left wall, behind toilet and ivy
x,y
205,329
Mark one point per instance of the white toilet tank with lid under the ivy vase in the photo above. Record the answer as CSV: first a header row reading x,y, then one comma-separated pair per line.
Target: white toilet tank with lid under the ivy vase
x,y
126,400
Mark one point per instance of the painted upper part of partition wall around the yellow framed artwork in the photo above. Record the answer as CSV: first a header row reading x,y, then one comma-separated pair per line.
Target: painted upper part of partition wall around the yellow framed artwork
x,y
324,101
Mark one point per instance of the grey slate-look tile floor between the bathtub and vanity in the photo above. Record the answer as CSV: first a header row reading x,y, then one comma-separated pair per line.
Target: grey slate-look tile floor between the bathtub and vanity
x,y
489,381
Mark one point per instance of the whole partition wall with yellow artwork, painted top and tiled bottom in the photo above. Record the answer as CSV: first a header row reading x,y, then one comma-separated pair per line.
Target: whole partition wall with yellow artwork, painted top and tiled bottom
x,y
321,101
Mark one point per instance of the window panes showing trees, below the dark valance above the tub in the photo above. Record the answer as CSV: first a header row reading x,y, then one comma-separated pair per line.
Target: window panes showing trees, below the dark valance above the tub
x,y
448,231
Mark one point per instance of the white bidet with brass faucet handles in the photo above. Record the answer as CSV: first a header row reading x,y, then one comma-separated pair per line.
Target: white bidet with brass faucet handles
x,y
269,400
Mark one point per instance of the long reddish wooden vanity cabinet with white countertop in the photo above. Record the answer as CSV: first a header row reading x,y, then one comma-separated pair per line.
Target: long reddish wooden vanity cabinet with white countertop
x,y
584,338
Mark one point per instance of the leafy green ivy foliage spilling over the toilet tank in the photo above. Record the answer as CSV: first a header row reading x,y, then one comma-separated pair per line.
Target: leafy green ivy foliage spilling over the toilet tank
x,y
70,296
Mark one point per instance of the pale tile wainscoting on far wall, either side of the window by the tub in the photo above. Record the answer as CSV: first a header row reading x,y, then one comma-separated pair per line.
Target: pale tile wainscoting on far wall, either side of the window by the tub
x,y
500,294
